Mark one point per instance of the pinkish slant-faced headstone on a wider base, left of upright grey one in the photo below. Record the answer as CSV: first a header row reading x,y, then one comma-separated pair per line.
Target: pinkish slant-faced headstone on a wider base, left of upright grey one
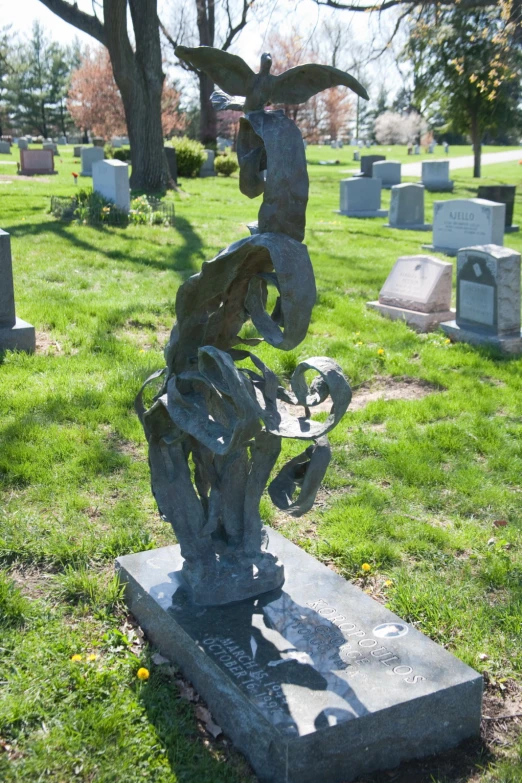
x,y
418,291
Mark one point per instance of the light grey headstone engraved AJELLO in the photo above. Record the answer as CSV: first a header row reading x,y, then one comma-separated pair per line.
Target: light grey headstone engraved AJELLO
x,y
461,223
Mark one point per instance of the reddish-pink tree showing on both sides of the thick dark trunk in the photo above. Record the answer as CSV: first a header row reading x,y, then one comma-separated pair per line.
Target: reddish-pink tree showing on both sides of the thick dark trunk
x,y
95,103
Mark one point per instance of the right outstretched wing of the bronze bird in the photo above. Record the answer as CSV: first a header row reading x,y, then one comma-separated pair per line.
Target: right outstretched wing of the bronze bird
x,y
299,84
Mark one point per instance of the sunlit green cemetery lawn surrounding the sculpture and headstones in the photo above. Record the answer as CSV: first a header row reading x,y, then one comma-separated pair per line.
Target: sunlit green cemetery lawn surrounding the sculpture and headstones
x,y
424,485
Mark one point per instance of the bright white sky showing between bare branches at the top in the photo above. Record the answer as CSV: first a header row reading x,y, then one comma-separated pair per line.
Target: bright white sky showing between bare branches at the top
x,y
359,27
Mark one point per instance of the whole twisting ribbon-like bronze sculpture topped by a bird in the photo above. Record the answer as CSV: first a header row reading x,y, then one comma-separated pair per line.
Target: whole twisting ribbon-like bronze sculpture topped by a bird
x,y
214,429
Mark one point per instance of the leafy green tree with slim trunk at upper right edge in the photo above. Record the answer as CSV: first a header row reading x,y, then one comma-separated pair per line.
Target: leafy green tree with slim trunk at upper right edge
x,y
467,64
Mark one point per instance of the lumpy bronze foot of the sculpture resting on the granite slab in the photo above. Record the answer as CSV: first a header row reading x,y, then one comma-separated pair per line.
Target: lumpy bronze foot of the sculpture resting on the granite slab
x,y
228,581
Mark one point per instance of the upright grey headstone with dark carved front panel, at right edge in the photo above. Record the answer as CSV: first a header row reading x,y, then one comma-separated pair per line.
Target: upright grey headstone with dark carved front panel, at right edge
x,y
488,298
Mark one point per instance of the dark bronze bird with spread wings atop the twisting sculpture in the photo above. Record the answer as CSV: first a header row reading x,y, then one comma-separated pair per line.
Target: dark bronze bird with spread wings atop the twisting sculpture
x,y
236,78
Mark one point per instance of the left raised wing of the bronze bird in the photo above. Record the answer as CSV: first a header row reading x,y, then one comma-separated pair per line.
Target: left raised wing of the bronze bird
x,y
228,71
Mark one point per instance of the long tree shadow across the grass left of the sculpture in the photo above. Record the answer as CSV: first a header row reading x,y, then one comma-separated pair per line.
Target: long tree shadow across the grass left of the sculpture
x,y
184,257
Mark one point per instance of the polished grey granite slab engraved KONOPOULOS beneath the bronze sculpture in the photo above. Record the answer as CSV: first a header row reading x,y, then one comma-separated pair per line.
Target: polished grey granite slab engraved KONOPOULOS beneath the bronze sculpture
x,y
314,681
